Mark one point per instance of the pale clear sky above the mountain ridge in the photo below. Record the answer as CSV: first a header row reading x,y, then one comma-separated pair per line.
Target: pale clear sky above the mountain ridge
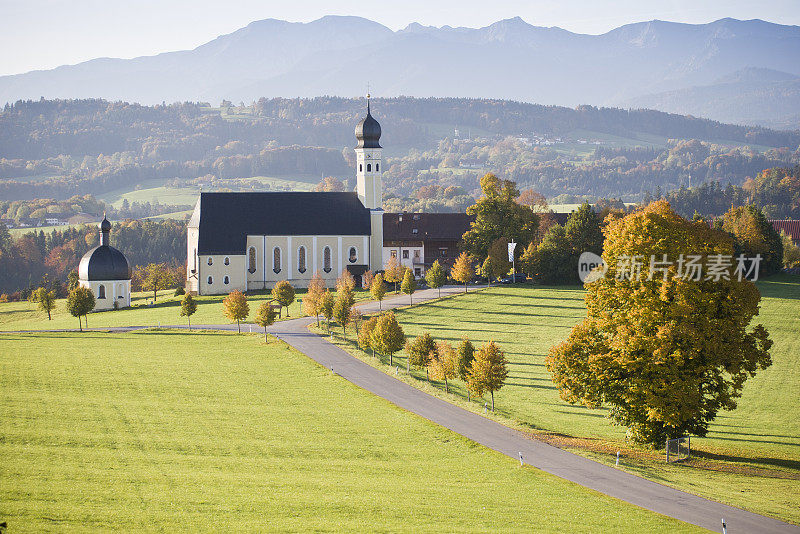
x,y
42,34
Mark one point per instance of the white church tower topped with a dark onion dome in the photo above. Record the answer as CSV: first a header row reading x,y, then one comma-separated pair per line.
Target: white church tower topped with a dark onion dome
x,y
368,182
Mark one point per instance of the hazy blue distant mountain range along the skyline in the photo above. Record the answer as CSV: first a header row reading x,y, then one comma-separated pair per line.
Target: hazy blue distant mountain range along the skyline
x,y
730,70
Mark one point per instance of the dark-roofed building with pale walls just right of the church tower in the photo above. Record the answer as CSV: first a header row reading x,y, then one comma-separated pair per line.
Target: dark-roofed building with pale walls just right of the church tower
x,y
419,239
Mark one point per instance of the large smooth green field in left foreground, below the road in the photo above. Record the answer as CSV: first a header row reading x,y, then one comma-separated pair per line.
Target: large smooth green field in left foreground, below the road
x,y
176,431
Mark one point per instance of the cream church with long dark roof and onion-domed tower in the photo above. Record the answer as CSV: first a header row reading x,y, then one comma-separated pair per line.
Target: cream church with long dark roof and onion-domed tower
x,y
250,241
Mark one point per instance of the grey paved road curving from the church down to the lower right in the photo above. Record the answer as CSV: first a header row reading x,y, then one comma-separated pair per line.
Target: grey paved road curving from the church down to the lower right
x,y
608,480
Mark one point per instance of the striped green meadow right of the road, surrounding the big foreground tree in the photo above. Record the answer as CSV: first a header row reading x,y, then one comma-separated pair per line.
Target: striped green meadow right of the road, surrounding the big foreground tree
x,y
751,457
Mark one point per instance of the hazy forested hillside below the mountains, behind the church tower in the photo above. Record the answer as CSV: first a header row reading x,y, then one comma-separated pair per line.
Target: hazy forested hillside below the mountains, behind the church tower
x,y
57,149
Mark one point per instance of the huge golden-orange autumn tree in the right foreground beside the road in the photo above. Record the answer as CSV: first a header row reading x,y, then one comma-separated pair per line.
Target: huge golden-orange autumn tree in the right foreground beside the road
x,y
667,349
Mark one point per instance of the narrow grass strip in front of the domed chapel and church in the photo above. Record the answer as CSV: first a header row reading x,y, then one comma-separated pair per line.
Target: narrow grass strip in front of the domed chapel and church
x,y
15,316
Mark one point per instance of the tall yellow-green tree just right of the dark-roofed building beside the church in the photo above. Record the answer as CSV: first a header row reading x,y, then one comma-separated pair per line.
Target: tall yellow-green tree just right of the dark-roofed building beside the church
x,y
497,215
